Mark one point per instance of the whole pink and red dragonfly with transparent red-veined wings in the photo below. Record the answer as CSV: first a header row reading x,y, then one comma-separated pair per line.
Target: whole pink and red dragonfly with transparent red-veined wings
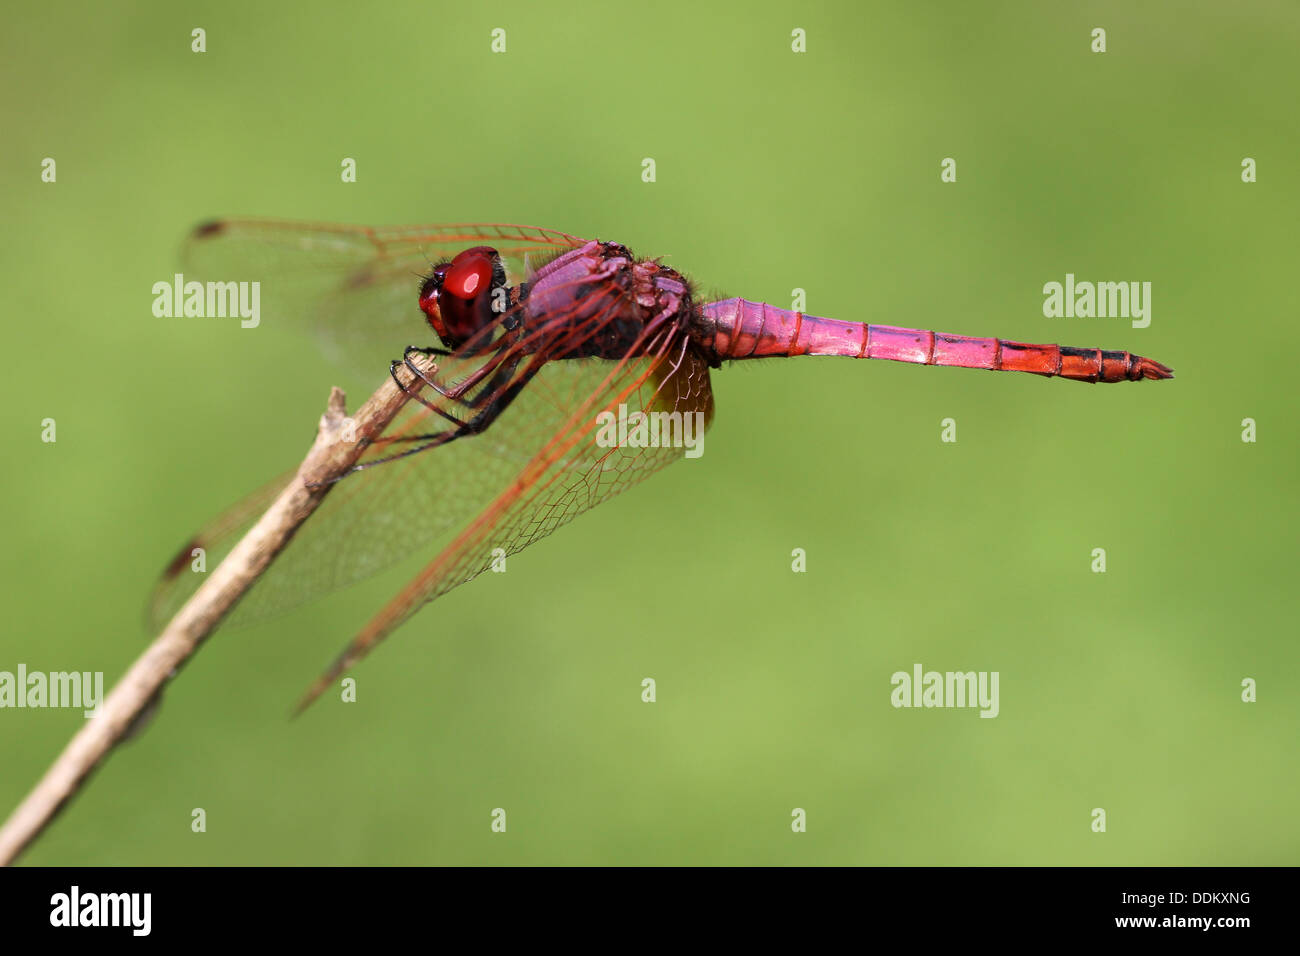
x,y
544,340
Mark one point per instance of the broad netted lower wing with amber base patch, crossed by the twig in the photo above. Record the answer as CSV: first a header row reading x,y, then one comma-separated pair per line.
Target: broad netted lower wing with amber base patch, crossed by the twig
x,y
379,517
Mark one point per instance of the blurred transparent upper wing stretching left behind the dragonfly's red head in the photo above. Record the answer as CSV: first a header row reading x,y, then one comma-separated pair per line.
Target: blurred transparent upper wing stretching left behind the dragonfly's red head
x,y
356,289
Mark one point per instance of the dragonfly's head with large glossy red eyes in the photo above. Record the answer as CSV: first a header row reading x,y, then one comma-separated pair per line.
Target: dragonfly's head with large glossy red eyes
x,y
466,296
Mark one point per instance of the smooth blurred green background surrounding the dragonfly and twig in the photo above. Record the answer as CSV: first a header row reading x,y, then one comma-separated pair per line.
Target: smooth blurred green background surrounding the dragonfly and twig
x,y
775,171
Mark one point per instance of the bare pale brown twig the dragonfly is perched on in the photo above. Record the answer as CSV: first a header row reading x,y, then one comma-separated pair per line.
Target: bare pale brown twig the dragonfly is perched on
x,y
330,458
